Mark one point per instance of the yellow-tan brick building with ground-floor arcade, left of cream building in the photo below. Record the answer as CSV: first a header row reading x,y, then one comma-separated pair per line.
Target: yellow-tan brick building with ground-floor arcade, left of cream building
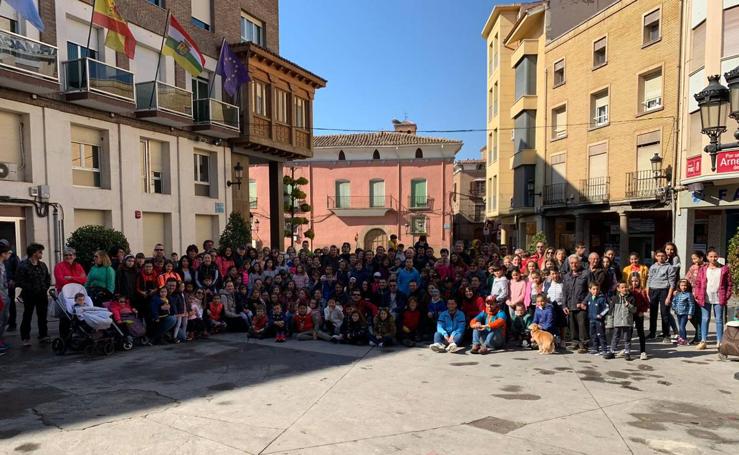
x,y
611,89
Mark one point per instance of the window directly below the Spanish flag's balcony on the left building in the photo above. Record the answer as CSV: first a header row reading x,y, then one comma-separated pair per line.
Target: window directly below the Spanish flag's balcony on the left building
x,y
86,150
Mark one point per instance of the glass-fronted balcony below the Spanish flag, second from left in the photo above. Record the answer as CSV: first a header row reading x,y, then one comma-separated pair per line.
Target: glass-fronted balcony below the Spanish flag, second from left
x,y
89,82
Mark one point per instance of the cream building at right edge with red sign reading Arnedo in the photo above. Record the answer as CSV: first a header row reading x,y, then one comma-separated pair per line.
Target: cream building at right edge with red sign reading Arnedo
x,y
708,203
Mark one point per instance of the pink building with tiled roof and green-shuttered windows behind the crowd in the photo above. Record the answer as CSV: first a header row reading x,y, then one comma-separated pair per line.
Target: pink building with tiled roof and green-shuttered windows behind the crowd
x,y
365,187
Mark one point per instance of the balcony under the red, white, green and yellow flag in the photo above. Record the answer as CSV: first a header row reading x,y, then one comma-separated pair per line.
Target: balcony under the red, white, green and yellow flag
x,y
164,104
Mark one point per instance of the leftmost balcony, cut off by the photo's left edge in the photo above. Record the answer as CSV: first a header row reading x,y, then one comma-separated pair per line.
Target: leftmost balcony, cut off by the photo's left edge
x,y
27,64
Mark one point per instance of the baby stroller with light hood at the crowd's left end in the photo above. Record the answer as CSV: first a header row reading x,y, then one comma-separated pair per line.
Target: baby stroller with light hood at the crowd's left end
x,y
89,326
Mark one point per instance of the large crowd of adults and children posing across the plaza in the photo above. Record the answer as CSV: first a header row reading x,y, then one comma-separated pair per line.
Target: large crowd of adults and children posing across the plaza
x,y
480,296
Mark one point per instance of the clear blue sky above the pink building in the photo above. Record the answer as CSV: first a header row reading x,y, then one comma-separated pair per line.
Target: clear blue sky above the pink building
x,y
386,59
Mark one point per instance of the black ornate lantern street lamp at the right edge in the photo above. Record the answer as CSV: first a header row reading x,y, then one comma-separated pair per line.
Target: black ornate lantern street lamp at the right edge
x,y
713,102
